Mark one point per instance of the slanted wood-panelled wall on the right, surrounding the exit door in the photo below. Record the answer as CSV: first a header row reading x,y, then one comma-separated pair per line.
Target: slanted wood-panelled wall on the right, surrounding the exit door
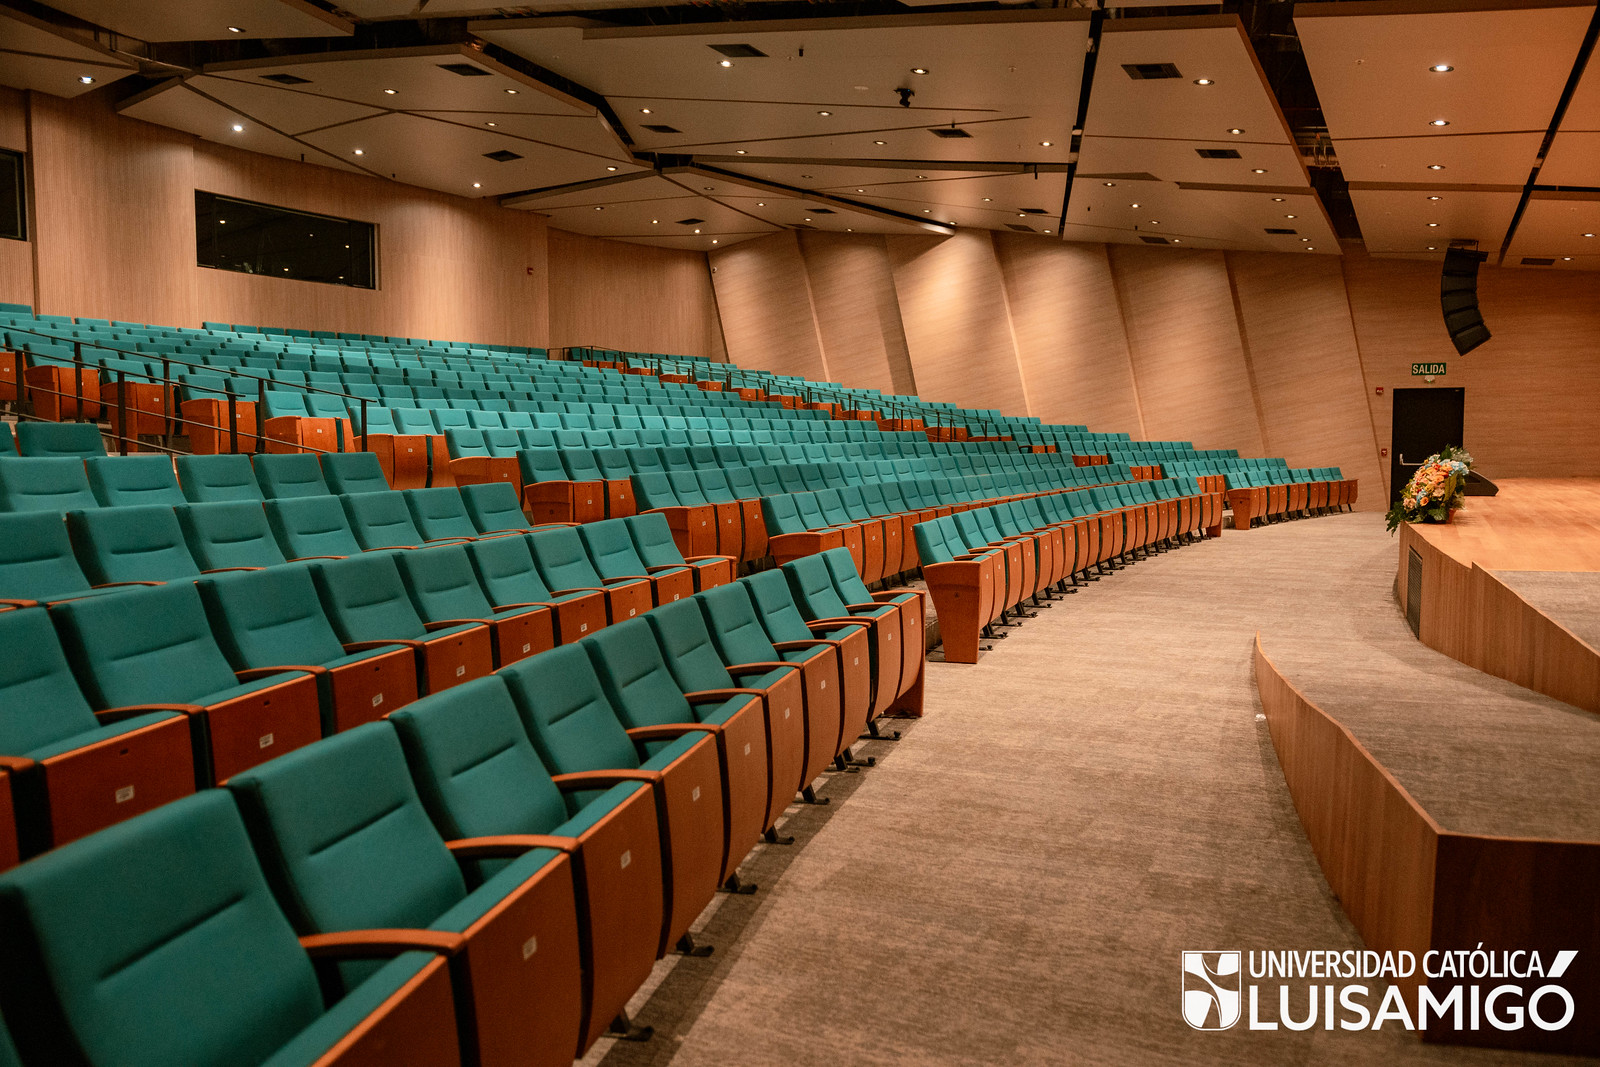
x,y
1271,354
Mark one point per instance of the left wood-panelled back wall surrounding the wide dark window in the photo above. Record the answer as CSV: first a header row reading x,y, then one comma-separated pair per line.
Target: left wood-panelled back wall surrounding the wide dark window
x,y
114,238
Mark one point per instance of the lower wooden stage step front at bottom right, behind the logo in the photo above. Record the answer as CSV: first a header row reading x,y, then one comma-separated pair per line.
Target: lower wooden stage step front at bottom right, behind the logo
x,y
1412,885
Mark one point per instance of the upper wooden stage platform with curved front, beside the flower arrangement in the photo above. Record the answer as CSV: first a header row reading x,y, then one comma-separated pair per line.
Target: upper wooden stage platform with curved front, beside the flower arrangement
x,y
1466,613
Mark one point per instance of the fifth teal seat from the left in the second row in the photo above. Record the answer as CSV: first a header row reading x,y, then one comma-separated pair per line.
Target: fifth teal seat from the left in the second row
x,y
446,591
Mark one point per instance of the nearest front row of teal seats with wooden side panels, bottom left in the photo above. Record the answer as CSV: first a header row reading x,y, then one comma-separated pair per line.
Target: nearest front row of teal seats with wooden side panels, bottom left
x,y
617,791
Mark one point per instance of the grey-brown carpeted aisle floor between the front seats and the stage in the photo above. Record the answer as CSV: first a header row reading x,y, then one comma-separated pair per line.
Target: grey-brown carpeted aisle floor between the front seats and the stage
x,y
1017,879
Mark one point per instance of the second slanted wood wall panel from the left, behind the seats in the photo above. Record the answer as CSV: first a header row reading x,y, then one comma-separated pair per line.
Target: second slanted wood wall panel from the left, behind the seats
x,y
857,314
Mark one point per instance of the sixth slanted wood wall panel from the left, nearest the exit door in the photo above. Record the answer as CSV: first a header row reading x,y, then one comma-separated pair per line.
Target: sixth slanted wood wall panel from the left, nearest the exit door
x,y
1297,326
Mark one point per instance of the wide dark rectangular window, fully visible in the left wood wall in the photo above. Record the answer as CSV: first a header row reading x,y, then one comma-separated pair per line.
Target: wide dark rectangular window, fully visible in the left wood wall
x,y
260,239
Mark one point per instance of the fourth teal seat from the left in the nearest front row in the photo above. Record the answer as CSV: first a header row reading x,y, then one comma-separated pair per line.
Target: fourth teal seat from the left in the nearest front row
x,y
578,737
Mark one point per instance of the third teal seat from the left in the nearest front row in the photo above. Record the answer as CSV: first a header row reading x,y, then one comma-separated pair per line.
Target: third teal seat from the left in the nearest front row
x,y
481,778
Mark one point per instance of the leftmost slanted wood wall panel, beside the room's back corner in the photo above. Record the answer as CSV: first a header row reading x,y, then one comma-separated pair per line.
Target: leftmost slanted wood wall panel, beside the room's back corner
x,y
766,305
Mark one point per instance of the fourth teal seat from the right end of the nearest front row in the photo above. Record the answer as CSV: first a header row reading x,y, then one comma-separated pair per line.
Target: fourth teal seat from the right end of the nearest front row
x,y
740,639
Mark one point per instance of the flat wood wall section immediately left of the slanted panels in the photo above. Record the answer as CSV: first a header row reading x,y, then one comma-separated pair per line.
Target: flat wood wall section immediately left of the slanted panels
x,y
631,297
